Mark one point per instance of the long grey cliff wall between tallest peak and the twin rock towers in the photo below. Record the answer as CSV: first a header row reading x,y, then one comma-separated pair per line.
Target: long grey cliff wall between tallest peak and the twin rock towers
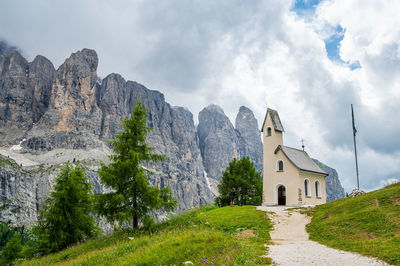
x,y
173,133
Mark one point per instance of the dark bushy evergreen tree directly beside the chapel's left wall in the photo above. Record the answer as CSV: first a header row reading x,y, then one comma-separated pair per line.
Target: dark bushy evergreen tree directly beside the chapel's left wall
x,y
241,175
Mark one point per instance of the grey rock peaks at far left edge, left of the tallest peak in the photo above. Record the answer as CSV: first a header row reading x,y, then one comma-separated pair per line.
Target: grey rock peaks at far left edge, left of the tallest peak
x,y
24,93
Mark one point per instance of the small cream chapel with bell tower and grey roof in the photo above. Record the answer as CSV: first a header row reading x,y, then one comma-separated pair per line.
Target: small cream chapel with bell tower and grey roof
x,y
290,176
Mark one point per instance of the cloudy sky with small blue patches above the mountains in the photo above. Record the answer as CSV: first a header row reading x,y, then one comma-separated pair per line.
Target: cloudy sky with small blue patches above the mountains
x,y
308,59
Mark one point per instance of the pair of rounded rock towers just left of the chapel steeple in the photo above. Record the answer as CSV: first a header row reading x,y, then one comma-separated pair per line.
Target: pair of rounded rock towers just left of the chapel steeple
x,y
220,142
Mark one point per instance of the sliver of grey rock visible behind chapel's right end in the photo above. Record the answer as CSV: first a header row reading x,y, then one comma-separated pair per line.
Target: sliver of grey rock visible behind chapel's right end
x,y
334,189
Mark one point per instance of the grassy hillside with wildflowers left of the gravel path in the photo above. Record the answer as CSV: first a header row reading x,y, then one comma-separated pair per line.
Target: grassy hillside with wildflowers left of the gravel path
x,y
230,236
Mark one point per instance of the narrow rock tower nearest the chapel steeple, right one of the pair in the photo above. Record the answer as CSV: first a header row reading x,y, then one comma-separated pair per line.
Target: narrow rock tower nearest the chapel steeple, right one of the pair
x,y
249,137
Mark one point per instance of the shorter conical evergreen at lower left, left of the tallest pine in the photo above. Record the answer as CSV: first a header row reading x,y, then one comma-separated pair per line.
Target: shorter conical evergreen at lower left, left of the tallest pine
x,y
65,217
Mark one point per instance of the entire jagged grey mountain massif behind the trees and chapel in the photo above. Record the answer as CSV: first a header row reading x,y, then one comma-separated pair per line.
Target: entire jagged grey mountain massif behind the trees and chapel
x,y
48,117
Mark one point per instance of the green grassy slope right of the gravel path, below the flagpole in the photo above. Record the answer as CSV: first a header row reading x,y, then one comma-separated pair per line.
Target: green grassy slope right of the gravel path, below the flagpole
x,y
368,224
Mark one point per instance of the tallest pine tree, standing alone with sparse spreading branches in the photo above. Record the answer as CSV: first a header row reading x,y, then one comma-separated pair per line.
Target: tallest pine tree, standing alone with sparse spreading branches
x,y
133,197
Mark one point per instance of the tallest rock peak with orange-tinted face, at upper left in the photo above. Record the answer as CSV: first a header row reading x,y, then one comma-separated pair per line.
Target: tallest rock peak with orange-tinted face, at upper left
x,y
74,93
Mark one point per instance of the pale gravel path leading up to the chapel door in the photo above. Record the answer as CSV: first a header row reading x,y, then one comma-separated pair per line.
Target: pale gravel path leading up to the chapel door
x,y
291,245
